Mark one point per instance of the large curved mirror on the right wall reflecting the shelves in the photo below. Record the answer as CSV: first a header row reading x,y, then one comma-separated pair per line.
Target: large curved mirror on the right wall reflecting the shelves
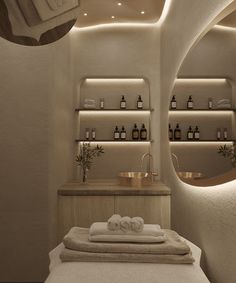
x,y
202,109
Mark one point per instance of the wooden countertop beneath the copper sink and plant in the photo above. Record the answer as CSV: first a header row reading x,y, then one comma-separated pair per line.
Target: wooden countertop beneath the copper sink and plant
x,y
111,188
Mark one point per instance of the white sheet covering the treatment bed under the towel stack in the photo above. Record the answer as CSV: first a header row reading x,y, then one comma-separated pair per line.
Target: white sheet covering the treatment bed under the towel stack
x,y
113,272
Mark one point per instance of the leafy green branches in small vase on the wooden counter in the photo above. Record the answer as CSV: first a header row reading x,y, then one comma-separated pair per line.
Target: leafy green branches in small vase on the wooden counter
x,y
86,156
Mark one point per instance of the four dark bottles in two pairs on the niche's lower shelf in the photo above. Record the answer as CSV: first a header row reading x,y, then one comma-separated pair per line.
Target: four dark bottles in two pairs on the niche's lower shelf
x,y
136,133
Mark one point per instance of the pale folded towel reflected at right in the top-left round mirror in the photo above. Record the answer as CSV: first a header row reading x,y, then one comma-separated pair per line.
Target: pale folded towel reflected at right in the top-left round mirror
x,y
46,12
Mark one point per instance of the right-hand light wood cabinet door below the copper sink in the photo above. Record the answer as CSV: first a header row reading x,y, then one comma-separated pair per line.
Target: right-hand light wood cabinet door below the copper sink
x,y
153,209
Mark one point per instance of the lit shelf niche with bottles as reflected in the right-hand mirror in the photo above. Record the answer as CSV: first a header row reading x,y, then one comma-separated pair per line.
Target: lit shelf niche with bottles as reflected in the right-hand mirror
x,y
213,111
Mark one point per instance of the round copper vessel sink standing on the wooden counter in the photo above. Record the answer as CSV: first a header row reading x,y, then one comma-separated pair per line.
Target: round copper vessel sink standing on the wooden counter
x,y
136,179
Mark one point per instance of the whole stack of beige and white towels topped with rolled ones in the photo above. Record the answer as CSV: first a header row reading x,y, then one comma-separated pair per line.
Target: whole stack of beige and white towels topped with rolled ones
x,y
119,241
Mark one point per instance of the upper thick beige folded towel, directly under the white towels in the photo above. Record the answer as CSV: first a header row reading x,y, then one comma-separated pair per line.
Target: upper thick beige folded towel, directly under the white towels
x,y
77,239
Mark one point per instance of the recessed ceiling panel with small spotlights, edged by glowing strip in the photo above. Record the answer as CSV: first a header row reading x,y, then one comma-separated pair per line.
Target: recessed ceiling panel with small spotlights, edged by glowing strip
x,y
95,12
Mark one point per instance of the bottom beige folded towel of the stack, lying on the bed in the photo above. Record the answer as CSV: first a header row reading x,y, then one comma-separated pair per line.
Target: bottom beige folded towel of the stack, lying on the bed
x,y
70,255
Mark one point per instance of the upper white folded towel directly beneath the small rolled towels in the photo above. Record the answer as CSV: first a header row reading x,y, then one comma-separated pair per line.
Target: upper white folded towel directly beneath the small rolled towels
x,y
100,228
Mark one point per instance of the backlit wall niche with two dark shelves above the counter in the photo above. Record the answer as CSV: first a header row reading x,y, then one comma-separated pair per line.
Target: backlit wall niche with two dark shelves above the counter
x,y
121,154
